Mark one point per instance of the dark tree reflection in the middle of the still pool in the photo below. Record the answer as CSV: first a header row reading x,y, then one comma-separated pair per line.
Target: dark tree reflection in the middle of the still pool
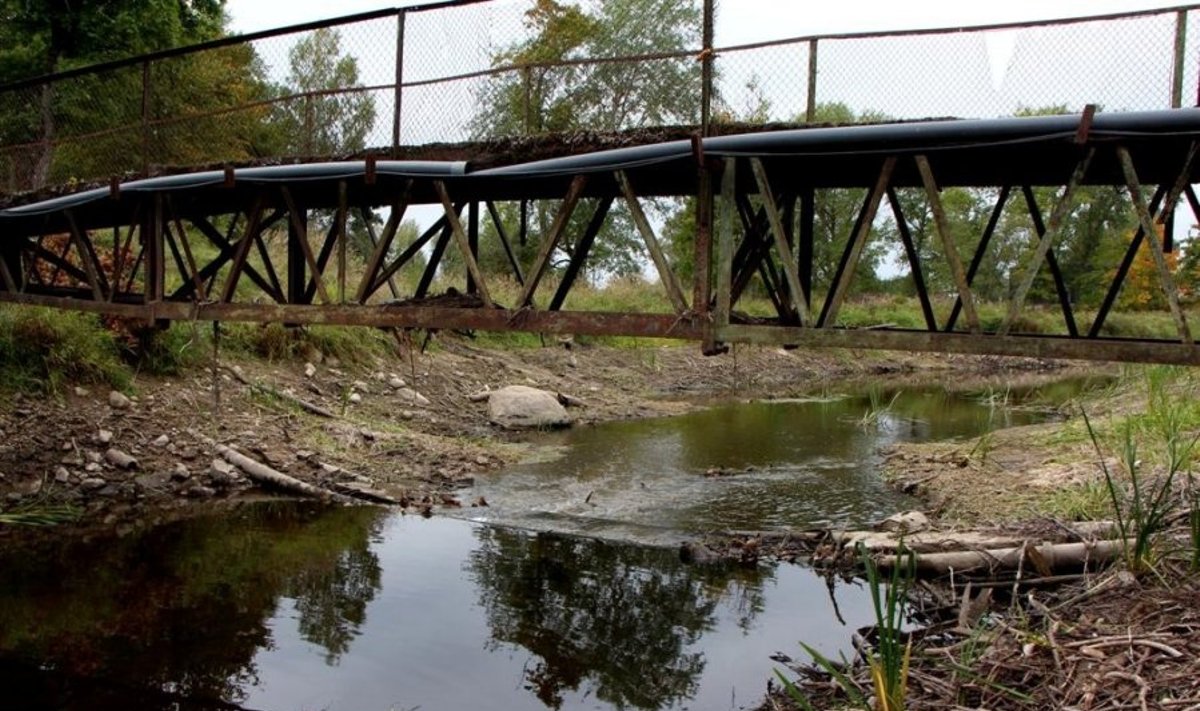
x,y
626,619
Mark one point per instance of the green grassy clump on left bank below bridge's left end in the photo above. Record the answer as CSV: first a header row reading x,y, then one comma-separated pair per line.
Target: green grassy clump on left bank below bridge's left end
x,y
44,350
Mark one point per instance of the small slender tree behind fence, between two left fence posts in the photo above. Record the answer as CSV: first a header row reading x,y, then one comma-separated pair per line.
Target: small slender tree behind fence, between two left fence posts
x,y
320,122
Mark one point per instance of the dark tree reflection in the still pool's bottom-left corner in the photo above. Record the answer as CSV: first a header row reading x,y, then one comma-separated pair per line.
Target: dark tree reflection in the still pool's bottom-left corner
x,y
181,612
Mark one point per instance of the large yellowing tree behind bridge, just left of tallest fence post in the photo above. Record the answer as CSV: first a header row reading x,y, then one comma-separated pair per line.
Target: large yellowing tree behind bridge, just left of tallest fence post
x,y
544,95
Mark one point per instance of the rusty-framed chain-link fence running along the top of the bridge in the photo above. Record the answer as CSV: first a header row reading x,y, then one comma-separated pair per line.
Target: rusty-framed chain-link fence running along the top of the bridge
x,y
481,70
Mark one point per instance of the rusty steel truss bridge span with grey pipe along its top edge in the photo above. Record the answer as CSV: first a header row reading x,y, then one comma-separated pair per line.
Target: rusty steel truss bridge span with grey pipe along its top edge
x,y
116,250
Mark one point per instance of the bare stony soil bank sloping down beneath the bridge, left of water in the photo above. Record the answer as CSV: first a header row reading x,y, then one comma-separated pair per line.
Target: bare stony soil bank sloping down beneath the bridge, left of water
x,y
407,427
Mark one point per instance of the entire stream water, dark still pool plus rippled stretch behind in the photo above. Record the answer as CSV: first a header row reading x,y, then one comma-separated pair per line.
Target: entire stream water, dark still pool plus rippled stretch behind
x,y
290,606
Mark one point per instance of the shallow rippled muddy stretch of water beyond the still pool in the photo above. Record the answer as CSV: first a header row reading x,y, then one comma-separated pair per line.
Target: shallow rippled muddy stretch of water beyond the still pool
x,y
746,467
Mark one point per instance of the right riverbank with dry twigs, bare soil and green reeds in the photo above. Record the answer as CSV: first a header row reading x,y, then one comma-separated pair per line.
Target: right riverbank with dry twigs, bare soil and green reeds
x,y
1108,631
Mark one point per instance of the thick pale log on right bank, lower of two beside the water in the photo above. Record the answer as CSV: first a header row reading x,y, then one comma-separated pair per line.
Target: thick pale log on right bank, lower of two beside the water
x,y
1054,557
